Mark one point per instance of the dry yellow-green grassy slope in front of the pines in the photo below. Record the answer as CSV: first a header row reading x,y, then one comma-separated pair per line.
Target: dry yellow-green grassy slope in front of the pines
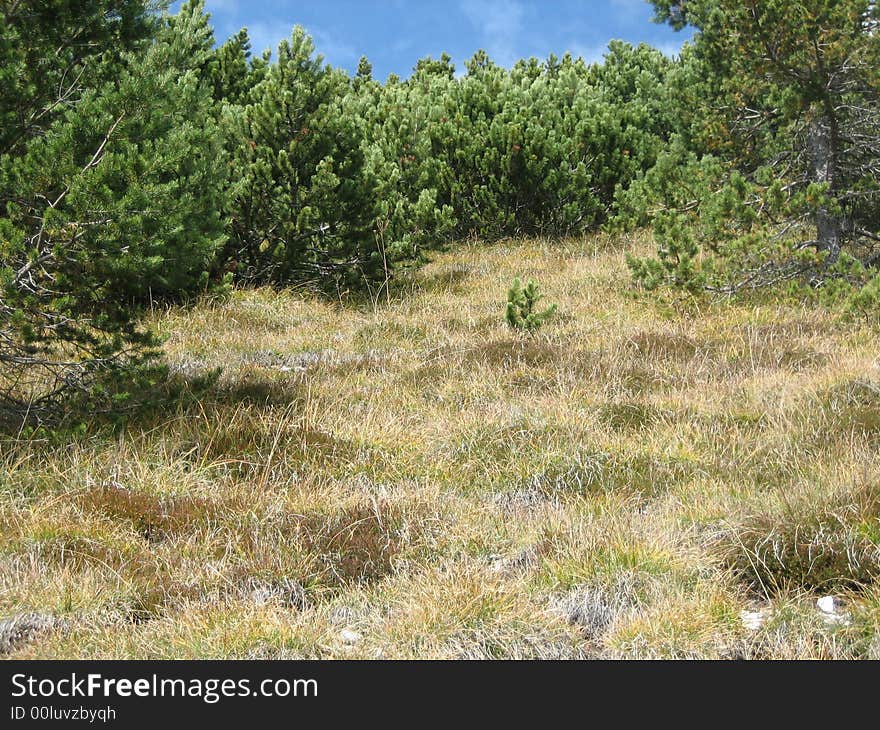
x,y
419,481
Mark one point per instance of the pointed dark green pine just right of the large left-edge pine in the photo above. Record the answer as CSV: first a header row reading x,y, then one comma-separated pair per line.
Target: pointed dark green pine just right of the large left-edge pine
x,y
304,208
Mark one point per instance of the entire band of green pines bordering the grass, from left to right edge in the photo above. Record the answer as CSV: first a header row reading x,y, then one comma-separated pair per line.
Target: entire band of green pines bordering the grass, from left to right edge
x,y
140,162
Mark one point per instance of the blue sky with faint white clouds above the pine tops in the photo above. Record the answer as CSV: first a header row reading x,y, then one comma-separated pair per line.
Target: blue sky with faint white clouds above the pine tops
x,y
394,34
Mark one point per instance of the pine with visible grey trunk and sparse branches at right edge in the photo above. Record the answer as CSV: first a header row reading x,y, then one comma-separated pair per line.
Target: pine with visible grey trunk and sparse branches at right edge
x,y
795,114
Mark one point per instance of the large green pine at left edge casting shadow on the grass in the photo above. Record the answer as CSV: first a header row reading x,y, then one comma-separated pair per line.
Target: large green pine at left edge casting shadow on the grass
x,y
112,204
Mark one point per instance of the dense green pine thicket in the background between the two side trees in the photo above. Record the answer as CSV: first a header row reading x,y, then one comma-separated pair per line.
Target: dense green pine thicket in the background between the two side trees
x,y
342,178
